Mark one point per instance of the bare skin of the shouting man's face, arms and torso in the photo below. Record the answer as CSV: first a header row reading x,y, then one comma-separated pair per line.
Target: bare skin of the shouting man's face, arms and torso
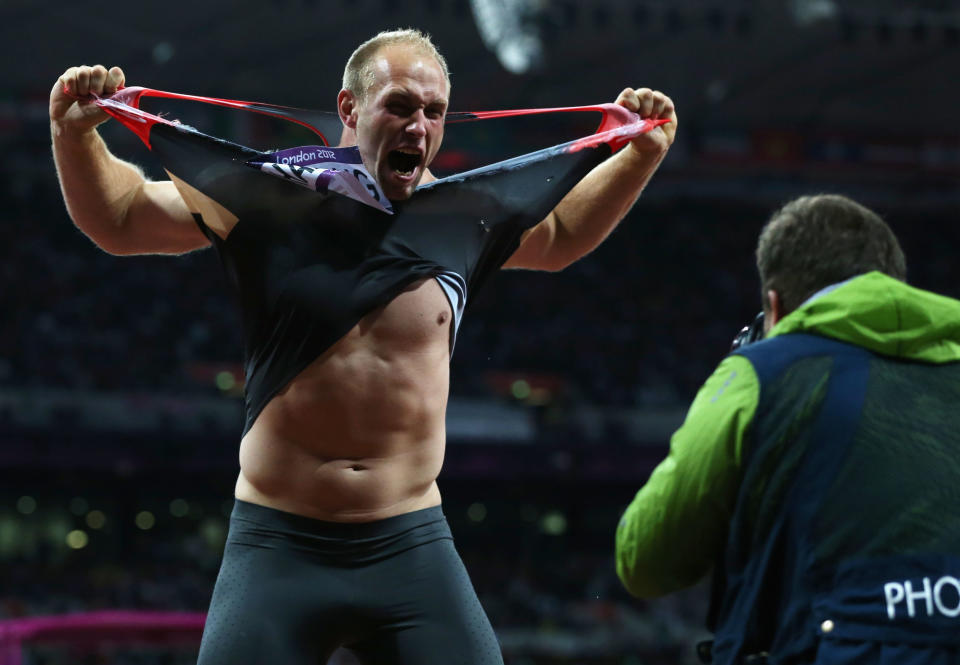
x,y
359,434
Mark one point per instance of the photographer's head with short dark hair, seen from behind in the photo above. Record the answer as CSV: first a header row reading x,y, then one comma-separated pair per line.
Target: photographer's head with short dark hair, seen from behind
x,y
815,241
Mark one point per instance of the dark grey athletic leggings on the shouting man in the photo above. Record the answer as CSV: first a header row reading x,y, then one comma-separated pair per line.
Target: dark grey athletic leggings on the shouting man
x,y
292,589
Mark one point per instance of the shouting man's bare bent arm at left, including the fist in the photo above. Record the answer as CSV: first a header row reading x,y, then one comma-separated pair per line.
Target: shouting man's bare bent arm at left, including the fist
x,y
109,199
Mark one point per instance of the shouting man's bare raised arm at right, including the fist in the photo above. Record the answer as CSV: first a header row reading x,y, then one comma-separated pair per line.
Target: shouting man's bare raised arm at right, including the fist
x,y
593,208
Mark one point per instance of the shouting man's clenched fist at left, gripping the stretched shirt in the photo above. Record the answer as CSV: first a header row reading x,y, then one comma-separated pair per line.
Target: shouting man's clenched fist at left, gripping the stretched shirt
x,y
70,107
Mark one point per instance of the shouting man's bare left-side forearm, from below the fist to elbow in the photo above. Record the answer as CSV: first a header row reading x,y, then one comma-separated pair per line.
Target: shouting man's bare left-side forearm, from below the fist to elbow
x,y
97,186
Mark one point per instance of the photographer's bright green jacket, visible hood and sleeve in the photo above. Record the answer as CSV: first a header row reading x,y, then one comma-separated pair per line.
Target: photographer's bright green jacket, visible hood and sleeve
x,y
673,530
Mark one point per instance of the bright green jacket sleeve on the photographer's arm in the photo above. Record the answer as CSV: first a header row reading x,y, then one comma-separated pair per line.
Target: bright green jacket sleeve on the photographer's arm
x,y
671,533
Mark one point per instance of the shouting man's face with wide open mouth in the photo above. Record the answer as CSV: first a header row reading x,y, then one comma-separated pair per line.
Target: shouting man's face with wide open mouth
x,y
399,123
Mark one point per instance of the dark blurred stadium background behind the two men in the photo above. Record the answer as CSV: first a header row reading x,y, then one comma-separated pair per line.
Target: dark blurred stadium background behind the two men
x,y
119,378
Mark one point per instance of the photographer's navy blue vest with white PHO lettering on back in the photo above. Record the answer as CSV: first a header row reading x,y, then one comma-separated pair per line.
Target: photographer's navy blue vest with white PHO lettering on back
x,y
846,531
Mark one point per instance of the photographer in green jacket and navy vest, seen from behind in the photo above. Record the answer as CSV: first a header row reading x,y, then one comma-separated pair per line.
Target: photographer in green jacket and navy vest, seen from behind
x,y
818,471
